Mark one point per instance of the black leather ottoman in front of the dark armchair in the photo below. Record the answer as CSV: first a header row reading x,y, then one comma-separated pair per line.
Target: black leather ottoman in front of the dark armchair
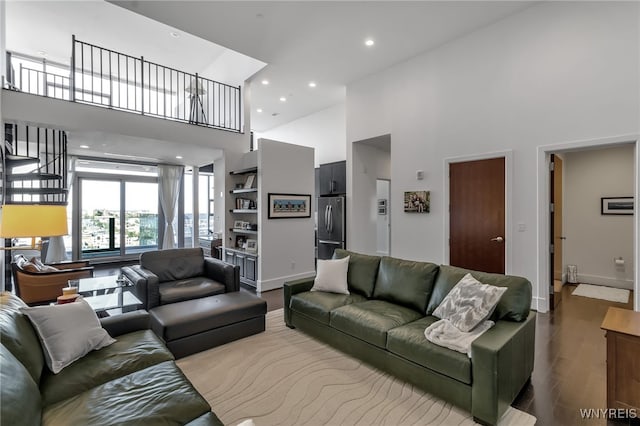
x,y
198,324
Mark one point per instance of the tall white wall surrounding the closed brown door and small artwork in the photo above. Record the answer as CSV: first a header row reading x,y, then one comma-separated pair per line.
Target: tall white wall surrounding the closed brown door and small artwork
x,y
555,72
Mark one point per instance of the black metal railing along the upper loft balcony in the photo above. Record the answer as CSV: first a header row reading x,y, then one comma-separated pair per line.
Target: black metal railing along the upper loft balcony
x,y
110,79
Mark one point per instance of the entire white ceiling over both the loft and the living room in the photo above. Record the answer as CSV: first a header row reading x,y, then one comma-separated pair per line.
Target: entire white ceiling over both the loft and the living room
x,y
299,41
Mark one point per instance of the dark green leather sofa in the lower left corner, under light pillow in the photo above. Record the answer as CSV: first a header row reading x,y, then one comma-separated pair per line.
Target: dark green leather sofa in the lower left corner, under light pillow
x,y
133,381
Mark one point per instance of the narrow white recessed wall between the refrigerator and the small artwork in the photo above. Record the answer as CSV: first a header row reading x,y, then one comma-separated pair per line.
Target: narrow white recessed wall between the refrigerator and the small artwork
x,y
369,165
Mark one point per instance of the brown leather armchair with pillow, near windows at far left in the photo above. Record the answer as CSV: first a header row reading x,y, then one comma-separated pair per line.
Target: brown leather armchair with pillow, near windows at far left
x,y
38,283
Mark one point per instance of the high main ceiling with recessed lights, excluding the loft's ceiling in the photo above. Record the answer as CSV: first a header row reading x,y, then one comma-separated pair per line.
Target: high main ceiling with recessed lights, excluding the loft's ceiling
x,y
321,41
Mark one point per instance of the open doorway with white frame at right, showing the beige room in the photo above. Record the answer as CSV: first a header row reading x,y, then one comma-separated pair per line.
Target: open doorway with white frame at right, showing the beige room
x,y
603,247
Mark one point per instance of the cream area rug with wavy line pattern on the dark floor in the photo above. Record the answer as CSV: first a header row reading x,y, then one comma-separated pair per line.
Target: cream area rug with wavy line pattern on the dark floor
x,y
284,377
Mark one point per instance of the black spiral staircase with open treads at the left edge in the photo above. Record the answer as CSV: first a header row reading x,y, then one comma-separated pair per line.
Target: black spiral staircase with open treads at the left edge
x,y
33,169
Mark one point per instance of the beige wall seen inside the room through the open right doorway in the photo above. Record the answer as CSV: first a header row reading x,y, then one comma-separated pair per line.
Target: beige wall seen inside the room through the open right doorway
x,y
595,240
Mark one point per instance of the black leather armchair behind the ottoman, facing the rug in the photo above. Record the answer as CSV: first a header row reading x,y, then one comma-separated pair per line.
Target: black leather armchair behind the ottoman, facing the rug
x,y
175,275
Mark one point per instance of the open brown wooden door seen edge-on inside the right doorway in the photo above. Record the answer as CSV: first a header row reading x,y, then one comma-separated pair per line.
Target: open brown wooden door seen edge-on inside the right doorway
x,y
557,239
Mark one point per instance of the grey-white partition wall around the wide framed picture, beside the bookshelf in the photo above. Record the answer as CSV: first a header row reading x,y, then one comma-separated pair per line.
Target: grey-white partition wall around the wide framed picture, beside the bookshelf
x,y
285,246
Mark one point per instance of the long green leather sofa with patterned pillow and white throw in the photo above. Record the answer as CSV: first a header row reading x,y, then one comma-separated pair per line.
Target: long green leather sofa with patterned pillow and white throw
x,y
382,322
